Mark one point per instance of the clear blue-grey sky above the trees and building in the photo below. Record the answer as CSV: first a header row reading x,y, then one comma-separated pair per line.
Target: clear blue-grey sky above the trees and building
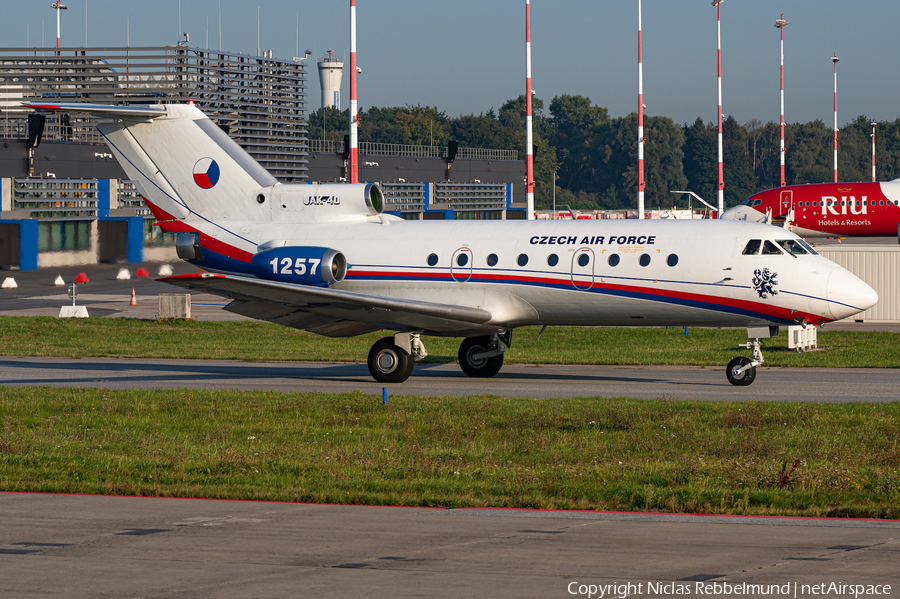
x,y
468,56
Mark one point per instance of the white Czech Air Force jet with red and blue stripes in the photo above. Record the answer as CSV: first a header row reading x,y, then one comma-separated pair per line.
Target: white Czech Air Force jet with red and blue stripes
x,y
324,258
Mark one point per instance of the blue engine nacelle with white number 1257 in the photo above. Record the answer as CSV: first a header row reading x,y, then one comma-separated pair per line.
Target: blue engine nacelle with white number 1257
x,y
302,265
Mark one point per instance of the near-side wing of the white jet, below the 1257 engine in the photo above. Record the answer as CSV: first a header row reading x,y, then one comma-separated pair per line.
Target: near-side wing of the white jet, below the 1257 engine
x,y
327,311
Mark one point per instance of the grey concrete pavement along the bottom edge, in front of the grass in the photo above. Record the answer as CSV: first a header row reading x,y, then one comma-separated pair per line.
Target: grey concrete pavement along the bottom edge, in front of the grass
x,y
81,546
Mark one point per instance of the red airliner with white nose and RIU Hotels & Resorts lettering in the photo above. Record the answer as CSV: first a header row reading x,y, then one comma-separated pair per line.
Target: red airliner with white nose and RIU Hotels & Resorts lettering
x,y
864,209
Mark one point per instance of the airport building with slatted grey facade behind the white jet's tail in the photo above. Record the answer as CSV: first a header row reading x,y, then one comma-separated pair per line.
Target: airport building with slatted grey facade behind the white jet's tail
x,y
65,200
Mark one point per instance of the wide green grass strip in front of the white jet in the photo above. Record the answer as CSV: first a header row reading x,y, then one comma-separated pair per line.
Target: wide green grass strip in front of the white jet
x,y
611,454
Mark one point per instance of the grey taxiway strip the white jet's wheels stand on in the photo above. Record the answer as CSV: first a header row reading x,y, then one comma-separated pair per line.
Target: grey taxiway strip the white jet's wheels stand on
x,y
545,381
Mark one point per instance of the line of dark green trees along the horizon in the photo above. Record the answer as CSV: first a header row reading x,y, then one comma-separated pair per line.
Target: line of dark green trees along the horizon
x,y
594,156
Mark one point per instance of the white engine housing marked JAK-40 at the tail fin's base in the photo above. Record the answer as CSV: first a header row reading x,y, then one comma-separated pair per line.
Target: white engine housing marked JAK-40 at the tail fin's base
x,y
330,202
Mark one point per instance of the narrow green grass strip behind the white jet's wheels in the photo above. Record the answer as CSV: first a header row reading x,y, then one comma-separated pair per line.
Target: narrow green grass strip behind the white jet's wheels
x,y
260,341
